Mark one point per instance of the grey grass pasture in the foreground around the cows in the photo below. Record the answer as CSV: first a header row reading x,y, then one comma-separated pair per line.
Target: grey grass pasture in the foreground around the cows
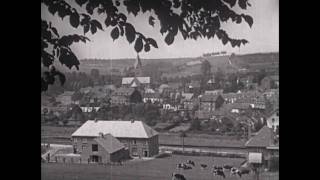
x,y
157,169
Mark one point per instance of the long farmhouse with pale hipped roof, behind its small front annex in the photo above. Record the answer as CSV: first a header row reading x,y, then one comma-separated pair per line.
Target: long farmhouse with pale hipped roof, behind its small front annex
x,y
137,137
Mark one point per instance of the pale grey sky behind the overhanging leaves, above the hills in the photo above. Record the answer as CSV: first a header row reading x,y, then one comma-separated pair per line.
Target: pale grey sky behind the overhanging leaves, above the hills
x,y
263,36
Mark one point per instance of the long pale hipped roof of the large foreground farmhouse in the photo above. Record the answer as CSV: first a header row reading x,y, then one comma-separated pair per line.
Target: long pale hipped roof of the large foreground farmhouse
x,y
118,129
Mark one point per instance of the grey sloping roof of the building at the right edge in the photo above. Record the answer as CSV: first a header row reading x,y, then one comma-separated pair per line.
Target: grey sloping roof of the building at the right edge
x,y
264,138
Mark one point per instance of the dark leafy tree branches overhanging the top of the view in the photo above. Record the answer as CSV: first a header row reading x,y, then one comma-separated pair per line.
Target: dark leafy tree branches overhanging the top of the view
x,y
193,19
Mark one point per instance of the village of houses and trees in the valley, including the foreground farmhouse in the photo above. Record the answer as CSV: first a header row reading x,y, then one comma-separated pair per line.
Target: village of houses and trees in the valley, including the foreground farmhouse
x,y
139,118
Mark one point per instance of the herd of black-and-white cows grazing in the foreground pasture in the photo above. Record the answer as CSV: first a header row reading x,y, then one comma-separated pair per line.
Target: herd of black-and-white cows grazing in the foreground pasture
x,y
216,170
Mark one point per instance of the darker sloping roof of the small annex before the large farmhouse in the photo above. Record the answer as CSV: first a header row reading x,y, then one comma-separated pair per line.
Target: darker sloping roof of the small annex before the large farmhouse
x,y
109,143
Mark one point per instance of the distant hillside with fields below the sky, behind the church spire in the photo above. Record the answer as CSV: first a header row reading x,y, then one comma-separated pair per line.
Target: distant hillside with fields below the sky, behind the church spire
x,y
186,66
